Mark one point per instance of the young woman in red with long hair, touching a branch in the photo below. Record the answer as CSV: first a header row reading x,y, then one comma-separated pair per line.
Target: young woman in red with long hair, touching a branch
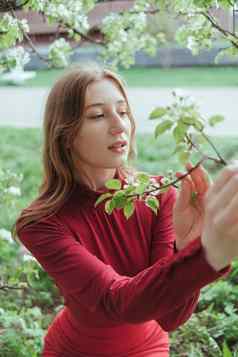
x,y
124,282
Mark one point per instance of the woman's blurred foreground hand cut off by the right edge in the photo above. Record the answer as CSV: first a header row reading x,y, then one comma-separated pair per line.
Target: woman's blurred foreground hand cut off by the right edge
x,y
220,233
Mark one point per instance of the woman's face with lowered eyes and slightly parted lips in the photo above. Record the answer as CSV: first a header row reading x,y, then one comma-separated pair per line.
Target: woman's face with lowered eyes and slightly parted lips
x,y
103,139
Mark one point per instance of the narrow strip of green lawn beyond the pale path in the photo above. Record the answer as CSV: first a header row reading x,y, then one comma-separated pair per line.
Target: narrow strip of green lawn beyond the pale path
x,y
159,77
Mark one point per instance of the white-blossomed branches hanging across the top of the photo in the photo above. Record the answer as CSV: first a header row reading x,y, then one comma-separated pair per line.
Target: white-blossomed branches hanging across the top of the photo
x,y
123,33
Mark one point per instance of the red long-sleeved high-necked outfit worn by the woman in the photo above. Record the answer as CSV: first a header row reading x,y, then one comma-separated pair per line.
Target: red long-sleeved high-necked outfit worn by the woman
x,y
124,286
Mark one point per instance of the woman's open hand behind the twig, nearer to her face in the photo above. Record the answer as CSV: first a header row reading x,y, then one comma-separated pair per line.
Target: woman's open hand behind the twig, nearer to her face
x,y
188,212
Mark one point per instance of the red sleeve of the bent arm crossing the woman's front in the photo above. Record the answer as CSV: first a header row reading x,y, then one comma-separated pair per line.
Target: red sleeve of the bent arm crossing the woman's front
x,y
86,281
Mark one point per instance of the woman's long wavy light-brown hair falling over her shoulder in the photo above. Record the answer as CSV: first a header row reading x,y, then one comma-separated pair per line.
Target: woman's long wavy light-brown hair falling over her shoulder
x,y
62,120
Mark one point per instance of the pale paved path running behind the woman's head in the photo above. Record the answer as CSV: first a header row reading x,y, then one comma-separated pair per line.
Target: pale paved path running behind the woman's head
x,y
24,107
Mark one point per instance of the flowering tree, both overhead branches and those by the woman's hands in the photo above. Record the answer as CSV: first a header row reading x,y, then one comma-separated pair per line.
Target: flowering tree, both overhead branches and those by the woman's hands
x,y
119,43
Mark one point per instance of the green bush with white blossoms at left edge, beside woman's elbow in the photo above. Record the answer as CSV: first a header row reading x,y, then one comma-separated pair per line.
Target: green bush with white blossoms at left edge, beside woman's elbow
x,y
25,290
